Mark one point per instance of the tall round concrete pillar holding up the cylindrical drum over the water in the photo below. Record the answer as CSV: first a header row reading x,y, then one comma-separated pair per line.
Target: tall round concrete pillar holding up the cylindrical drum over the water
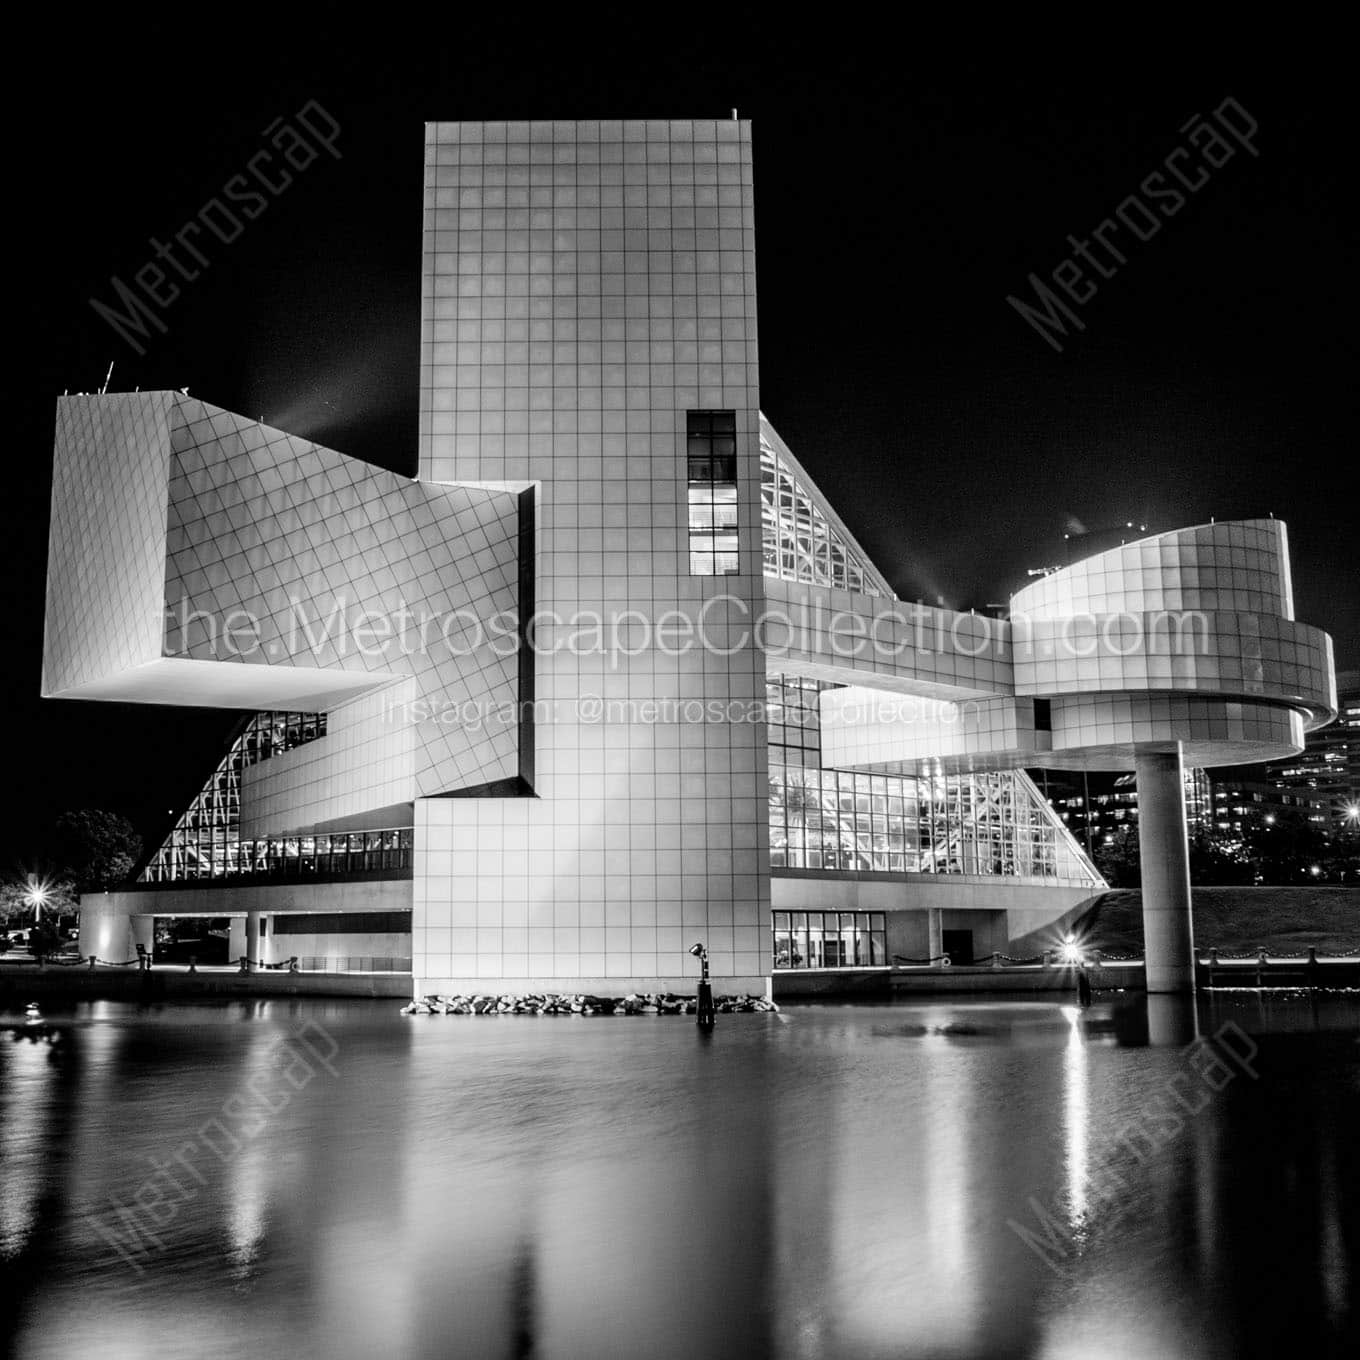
x,y
1165,853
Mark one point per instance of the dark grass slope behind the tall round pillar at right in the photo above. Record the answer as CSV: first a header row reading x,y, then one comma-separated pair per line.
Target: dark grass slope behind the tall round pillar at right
x,y
1238,919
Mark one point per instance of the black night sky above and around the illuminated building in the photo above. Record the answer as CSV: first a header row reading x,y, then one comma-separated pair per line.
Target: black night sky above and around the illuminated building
x,y
900,199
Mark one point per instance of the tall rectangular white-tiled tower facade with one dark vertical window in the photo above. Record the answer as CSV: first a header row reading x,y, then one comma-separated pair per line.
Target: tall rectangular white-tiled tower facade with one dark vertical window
x,y
590,341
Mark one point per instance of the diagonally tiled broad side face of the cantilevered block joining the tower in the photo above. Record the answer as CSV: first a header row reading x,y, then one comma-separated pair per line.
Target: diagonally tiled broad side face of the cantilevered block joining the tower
x,y
312,547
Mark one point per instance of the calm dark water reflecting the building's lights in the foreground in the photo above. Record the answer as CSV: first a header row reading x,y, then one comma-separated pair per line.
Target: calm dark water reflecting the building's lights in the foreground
x,y
828,1183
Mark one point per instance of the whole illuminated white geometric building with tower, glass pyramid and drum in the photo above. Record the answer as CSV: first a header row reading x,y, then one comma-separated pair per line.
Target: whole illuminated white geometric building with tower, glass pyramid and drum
x,y
611,677
